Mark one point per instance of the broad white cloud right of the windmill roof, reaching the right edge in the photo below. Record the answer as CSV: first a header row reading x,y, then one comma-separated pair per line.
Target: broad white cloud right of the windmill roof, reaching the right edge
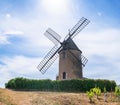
x,y
103,43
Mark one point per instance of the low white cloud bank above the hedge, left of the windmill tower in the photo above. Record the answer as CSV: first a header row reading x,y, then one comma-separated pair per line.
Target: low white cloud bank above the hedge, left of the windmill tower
x,y
21,66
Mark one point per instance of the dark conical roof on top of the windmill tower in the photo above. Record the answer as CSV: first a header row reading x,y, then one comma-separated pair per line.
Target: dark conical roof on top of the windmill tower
x,y
69,44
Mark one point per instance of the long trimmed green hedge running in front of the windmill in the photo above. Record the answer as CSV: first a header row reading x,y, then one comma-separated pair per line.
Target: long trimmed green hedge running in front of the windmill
x,y
74,85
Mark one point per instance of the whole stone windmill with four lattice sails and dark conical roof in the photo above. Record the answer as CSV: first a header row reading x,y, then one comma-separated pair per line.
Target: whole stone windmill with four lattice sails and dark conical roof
x,y
71,60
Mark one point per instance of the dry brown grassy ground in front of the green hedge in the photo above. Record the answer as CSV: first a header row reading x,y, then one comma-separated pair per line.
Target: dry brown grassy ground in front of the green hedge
x,y
10,97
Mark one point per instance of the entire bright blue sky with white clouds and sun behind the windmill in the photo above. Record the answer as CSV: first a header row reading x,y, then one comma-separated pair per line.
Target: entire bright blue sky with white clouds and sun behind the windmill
x,y
23,44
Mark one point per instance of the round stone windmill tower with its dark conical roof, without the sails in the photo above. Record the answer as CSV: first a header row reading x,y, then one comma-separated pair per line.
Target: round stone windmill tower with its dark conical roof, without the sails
x,y
70,65
